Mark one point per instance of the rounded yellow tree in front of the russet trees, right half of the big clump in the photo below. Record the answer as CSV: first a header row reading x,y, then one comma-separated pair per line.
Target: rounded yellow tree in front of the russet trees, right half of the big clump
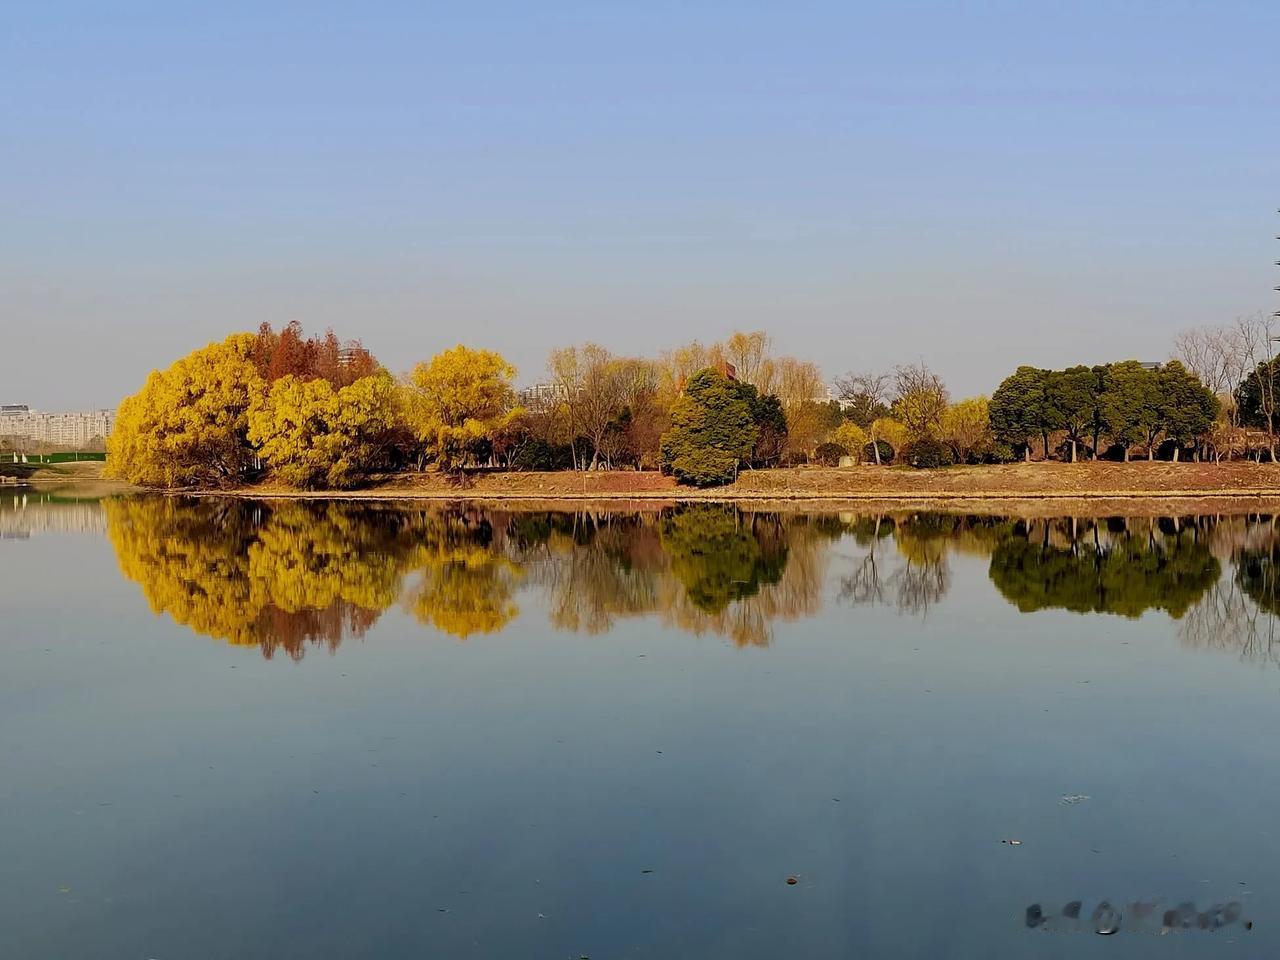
x,y
314,436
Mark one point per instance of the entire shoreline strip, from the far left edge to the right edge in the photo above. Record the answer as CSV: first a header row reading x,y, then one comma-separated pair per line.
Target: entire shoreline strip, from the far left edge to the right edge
x,y
1041,488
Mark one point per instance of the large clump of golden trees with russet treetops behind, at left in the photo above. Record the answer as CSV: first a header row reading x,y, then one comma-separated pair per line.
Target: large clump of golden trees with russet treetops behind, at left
x,y
226,413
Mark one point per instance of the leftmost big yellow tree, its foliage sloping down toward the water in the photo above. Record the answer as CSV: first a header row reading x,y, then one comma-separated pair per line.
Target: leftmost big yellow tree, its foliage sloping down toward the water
x,y
189,426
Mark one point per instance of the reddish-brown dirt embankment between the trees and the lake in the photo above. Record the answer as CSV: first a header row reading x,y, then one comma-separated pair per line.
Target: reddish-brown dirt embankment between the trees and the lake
x,y
1237,486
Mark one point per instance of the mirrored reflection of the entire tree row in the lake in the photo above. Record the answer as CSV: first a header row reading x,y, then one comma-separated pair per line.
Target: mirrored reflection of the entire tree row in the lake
x,y
286,577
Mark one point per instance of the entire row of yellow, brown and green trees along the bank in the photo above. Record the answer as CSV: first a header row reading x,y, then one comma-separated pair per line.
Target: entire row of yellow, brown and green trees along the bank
x,y
318,413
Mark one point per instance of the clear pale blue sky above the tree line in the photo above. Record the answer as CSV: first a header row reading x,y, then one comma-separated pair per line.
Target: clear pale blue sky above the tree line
x,y
975,184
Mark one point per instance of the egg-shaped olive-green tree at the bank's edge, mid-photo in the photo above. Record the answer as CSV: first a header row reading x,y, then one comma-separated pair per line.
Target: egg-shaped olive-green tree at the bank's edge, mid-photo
x,y
711,432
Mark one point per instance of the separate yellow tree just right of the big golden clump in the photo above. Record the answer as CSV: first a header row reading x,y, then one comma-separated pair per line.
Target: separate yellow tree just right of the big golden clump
x,y
460,397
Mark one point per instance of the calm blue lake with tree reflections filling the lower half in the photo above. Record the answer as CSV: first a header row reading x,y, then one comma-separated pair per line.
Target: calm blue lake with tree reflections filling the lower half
x,y
237,729
